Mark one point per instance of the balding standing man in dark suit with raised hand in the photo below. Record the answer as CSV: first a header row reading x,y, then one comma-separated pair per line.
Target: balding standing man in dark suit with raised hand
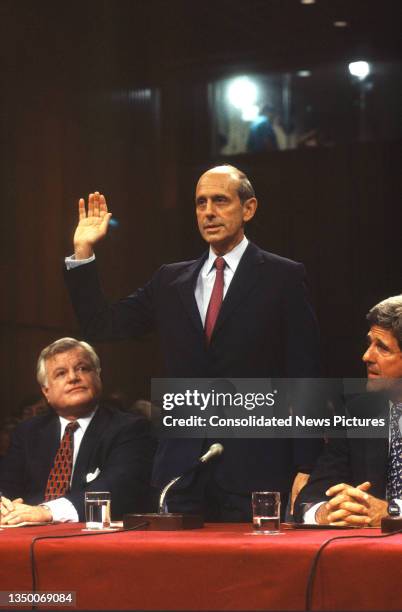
x,y
236,312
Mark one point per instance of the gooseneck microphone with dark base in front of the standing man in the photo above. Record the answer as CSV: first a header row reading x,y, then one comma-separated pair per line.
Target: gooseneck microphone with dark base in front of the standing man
x,y
167,521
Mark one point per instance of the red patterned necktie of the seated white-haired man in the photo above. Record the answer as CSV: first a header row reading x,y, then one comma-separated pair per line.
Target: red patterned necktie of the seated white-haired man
x,y
58,482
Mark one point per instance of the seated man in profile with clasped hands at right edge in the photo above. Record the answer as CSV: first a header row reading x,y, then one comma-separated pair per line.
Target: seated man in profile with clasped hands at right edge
x,y
350,467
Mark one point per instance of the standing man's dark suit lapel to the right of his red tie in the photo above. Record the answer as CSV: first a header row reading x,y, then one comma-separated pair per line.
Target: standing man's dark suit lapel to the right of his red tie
x,y
246,276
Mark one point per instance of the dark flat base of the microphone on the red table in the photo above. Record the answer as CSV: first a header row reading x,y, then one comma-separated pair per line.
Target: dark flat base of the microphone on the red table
x,y
168,521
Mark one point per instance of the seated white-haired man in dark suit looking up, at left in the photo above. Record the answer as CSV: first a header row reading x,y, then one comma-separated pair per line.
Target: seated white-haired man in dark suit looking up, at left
x,y
81,445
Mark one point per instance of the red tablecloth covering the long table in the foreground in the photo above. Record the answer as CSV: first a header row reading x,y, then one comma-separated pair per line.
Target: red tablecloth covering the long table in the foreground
x,y
220,567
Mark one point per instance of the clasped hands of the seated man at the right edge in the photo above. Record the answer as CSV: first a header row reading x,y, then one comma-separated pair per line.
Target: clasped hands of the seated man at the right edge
x,y
352,506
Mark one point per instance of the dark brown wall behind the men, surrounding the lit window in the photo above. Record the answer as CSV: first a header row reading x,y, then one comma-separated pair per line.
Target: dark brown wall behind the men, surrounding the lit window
x,y
71,124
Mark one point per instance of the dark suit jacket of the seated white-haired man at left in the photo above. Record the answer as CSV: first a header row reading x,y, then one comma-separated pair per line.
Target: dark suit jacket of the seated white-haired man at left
x,y
118,444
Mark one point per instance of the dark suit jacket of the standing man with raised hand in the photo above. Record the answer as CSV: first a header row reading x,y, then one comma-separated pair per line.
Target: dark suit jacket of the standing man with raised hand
x,y
266,328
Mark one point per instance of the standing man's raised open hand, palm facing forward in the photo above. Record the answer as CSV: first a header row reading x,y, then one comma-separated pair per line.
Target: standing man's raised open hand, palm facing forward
x,y
92,225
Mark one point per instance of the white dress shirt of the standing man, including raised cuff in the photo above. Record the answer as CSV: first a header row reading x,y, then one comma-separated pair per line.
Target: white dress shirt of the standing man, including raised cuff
x,y
206,277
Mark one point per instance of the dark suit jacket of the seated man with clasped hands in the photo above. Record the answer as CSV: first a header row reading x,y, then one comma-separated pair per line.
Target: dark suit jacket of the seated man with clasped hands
x,y
351,460
